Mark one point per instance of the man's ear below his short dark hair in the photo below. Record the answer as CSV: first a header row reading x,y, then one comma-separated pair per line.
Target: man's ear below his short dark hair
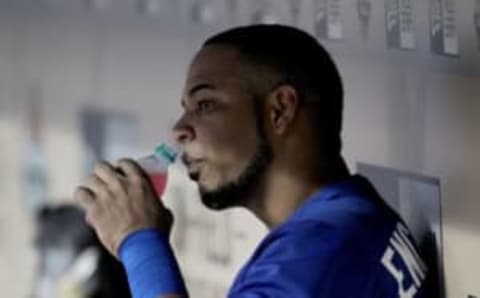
x,y
282,108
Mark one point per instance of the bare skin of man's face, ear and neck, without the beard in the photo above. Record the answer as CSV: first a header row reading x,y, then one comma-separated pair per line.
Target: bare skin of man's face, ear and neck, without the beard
x,y
226,139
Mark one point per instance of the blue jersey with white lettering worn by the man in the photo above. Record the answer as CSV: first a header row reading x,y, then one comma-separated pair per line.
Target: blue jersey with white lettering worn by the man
x,y
343,242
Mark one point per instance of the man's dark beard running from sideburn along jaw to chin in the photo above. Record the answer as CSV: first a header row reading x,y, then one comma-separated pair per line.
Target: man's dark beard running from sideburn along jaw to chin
x,y
235,193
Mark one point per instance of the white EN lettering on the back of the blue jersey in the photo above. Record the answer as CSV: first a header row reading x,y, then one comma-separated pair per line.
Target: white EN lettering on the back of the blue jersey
x,y
401,245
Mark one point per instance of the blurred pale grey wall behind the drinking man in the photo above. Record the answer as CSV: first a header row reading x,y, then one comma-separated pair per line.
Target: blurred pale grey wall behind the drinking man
x,y
82,80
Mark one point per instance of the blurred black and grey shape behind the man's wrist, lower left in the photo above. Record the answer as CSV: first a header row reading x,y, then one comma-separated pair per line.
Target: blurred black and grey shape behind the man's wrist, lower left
x,y
72,263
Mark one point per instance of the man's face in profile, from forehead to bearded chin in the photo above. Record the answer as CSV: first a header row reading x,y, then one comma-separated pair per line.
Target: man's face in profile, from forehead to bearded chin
x,y
222,131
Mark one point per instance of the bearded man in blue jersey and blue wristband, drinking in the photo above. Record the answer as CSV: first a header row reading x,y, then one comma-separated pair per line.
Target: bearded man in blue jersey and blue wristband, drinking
x,y
261,130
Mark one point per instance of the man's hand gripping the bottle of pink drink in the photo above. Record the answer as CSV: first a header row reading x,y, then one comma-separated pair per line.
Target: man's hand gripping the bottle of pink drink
x,y
119,201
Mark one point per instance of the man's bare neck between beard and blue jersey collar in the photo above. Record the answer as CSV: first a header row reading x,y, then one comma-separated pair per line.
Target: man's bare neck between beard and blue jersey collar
x,y
284,191
